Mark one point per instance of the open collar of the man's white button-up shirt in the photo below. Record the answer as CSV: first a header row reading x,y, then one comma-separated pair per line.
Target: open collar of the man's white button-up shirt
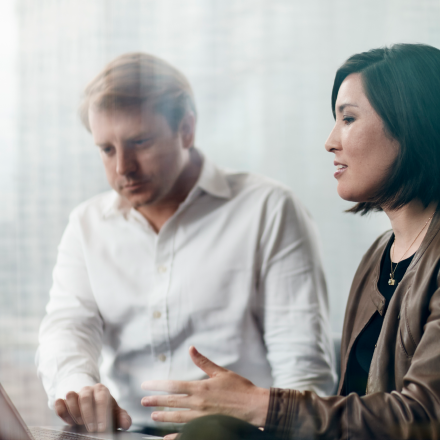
x,y
212,180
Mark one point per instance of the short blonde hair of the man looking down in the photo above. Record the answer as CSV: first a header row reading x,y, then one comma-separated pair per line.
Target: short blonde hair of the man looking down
x,y
136,80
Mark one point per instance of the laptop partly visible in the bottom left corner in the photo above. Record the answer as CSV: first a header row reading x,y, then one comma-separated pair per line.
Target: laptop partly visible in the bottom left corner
x,y
12,427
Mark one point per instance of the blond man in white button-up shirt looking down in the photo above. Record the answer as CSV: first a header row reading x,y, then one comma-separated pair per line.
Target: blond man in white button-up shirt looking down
x,y
179,253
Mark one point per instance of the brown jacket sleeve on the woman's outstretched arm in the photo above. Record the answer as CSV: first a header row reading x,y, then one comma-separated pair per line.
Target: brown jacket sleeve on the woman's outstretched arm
x,y
412,413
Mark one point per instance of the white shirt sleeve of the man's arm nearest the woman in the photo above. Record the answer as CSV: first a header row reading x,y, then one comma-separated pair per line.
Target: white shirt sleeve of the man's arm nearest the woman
x,y
292,296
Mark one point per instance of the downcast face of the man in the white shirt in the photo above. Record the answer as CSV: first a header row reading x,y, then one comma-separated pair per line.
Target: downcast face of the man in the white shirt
x,y
142,156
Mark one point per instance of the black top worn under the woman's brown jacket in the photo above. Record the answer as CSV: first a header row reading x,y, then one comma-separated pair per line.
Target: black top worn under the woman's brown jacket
x,y
363,348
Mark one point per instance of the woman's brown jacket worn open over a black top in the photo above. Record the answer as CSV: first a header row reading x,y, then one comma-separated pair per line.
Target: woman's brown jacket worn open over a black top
x,y
403,392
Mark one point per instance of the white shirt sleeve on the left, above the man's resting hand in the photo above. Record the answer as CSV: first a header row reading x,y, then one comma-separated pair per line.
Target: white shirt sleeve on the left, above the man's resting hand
x,y
70,338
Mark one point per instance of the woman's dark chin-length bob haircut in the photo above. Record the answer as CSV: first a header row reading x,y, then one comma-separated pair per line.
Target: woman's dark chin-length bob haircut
x,y
402,83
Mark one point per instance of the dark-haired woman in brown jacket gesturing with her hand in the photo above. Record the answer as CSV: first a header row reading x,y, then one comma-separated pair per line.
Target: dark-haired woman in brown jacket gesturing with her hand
x,y
386,143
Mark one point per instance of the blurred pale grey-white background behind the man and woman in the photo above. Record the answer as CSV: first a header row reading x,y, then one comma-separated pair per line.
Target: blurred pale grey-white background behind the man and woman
x,y
262,72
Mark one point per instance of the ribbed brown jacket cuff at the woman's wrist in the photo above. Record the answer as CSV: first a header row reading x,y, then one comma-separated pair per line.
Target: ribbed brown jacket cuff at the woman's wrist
x,y
281,412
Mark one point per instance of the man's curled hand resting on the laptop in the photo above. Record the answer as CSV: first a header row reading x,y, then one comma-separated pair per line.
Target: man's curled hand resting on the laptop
x,y
93,407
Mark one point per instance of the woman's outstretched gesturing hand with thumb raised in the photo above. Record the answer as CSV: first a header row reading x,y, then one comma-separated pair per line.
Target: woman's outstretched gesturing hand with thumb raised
x,y
223,393
